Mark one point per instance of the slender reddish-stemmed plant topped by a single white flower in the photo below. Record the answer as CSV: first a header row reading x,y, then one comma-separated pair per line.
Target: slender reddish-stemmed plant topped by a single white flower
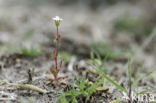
x,y
58,64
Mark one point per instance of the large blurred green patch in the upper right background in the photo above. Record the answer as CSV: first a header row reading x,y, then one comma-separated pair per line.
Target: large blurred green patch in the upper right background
x,y
136,26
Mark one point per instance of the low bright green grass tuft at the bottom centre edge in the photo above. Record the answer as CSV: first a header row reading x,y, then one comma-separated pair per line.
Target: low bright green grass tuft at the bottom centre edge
x,y
79,89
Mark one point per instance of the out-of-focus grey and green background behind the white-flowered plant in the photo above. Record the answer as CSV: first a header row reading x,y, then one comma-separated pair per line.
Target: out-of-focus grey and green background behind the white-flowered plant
x,y
109,26
